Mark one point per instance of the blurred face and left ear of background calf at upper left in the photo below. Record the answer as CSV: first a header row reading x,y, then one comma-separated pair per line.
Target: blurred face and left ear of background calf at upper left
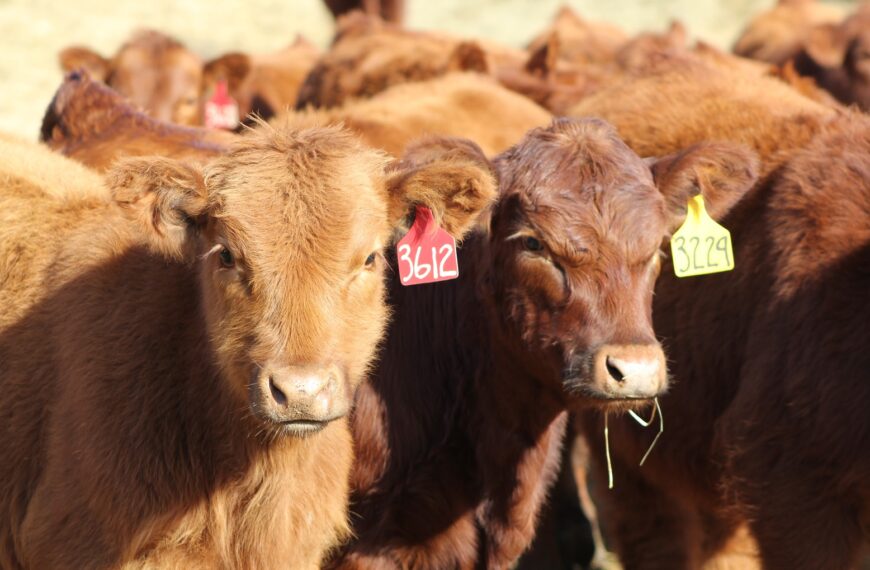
x,y
156,72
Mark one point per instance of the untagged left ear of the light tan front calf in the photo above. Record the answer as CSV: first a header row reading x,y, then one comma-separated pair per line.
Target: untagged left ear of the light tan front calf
x,y
166,197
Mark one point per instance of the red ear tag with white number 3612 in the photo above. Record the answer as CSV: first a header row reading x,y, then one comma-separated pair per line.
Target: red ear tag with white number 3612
x,y
427,253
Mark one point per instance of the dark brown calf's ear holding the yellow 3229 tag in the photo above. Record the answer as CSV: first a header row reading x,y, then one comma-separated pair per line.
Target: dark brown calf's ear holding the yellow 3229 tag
x,y
721,172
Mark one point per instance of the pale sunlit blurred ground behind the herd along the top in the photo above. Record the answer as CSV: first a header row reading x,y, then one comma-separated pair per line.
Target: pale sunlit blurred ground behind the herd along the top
x,y
33,31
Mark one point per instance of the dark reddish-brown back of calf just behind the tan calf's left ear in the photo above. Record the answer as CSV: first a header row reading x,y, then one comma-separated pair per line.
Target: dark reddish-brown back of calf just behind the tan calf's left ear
x,y
91,123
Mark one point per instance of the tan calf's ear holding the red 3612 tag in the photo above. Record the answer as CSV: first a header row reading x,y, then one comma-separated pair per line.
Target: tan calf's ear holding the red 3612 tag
x,y
450,176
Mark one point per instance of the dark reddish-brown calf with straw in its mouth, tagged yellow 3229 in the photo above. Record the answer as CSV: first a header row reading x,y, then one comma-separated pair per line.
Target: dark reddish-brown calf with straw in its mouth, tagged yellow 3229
x,y
458,432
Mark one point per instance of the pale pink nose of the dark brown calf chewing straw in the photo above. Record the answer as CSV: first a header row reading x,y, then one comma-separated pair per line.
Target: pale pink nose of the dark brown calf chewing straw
x,y
630,371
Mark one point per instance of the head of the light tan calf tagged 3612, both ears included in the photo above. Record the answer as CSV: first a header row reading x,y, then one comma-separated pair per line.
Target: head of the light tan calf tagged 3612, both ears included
x,y
287,231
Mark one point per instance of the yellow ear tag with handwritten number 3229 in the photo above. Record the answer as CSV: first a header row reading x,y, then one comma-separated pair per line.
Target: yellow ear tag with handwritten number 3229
x,y
701,246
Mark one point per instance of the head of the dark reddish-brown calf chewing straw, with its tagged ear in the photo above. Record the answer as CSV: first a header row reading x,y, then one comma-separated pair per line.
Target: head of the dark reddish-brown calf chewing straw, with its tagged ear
x,y
575,246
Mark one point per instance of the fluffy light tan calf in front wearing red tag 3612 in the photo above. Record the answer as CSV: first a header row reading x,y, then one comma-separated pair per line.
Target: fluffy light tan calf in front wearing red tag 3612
x,y
182,355
